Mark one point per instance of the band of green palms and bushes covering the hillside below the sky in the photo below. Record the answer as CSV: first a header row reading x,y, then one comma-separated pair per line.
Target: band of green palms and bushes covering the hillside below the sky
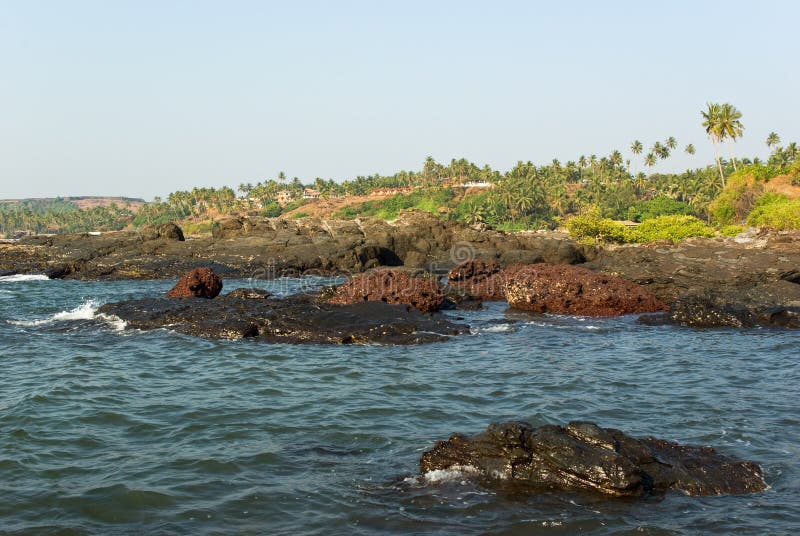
x,y
527,196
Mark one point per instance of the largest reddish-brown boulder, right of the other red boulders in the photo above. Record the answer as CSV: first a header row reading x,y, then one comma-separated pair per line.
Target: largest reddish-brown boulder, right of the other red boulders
x,y
570,290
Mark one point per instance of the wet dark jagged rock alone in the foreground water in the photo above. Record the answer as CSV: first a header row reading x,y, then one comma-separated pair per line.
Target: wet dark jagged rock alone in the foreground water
x,y
584,456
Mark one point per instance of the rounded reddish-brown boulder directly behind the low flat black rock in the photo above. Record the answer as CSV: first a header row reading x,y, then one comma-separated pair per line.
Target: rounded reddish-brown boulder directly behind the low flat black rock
x,y
391,286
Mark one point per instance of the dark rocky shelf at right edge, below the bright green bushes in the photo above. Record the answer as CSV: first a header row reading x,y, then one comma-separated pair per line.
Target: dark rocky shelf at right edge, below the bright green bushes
x,y
740,282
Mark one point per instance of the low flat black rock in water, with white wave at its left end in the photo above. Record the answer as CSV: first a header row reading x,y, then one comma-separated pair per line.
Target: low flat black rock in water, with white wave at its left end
x,y
295,319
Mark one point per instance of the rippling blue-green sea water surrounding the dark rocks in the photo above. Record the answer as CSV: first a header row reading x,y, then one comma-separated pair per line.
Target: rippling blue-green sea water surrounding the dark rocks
x,y
108,431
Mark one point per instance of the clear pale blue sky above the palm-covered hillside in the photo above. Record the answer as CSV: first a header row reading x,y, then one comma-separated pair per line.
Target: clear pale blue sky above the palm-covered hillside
x,y
141,98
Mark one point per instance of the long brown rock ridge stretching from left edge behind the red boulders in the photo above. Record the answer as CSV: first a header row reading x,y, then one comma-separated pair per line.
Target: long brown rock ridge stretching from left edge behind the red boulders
x,y
271,247
